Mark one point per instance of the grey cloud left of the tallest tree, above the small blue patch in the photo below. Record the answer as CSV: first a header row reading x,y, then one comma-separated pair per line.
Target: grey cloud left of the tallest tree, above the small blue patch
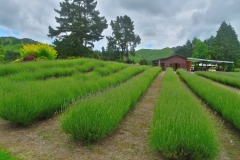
x,y
29,18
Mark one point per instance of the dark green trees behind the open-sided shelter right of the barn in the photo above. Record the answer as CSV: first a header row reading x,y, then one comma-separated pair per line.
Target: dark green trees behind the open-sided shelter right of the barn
x,y
224,46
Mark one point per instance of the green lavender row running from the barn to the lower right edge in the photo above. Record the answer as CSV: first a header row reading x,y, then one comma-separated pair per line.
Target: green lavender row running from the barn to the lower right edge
x,y
220,99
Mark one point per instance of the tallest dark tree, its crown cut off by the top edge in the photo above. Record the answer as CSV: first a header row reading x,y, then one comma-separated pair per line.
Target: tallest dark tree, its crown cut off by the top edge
x,y
79,27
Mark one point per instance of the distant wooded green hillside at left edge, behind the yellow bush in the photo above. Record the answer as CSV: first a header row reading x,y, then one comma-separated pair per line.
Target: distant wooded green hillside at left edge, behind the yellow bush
x,y
14,44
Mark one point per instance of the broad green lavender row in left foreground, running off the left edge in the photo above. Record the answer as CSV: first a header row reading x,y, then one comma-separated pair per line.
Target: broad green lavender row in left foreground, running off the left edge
x,y
24,102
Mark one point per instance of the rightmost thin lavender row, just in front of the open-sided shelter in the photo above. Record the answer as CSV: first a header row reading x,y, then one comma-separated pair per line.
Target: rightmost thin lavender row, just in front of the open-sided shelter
x,y
231,79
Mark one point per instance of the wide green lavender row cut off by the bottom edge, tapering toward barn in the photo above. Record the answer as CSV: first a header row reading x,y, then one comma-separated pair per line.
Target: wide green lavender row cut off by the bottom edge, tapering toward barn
x,y
180,128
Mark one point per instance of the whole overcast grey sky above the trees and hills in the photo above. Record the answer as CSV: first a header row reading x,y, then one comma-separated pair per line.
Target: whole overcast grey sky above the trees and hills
x,y
159,23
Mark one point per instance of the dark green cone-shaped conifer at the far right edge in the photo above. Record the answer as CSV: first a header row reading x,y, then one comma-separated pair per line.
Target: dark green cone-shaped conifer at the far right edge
x,y
226,45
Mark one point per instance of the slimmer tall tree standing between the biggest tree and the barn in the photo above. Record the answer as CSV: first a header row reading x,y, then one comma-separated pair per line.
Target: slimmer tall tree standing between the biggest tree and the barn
x,y
123,38
